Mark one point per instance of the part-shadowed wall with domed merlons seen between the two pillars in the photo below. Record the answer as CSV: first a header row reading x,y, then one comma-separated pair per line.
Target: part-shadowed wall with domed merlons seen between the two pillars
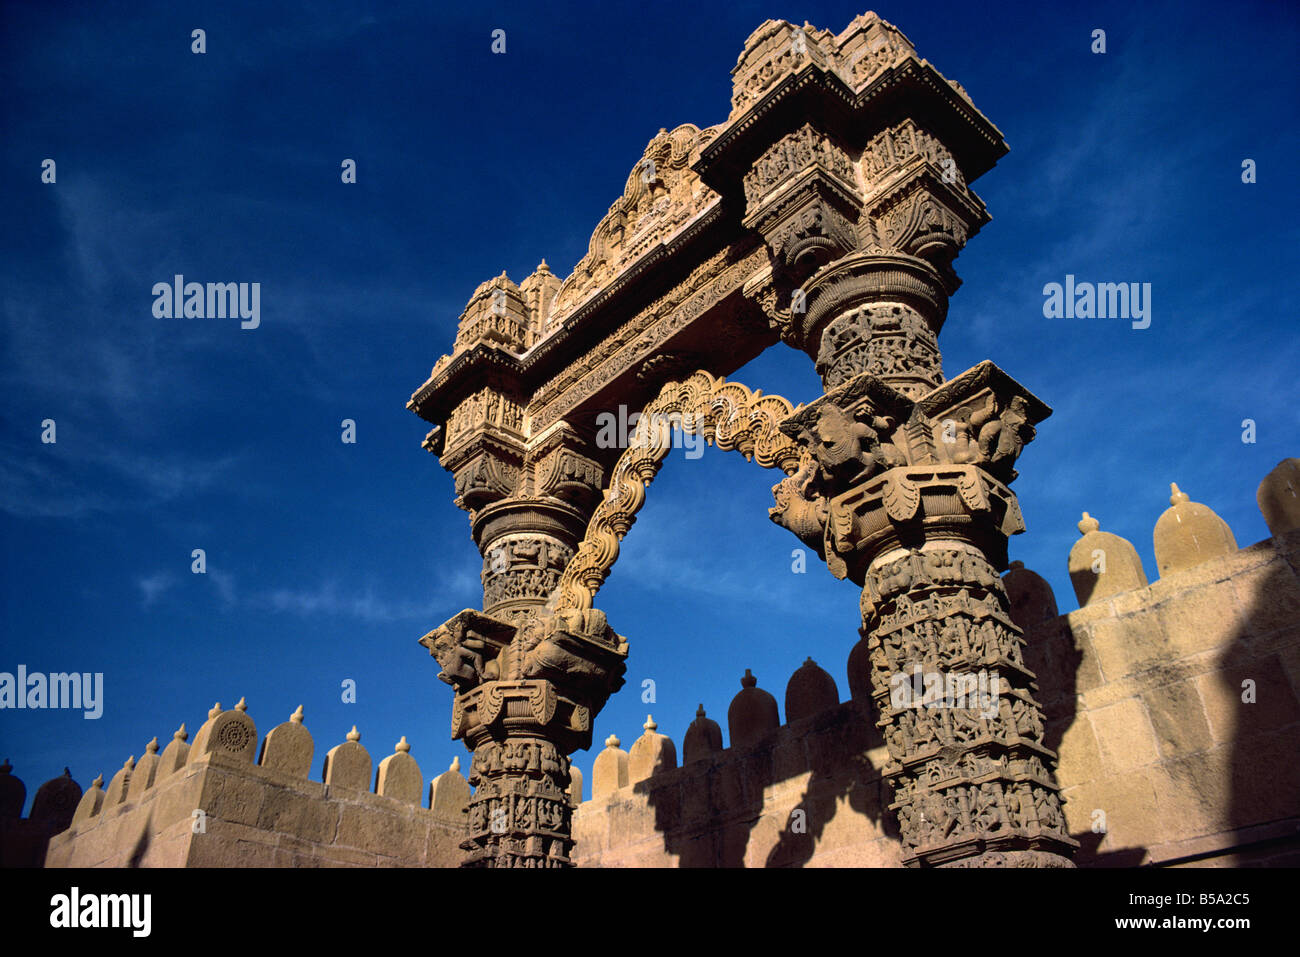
x,y
778,798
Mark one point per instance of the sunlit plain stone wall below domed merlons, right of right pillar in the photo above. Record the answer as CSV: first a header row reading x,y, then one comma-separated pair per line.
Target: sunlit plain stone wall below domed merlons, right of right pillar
x,y
1143,694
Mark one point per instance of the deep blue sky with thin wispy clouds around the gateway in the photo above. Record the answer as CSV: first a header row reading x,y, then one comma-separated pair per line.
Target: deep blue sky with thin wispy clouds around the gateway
x,y
328,561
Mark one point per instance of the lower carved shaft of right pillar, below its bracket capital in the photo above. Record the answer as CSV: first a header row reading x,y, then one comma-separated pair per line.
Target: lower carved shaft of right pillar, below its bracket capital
x,y
972,778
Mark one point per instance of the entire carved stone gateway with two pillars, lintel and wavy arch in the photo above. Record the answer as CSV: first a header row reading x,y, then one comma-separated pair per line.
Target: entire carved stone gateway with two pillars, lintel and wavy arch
x,y
825,213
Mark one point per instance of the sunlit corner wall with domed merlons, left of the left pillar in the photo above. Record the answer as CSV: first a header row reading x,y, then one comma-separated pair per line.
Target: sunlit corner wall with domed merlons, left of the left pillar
x,y
214,807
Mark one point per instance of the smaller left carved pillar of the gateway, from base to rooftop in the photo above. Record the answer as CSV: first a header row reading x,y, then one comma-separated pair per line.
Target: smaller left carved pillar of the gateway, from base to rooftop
x,y
527,683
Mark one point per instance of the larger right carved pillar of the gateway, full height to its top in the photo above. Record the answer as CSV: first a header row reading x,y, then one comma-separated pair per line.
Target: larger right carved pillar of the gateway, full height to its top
x,y
856,175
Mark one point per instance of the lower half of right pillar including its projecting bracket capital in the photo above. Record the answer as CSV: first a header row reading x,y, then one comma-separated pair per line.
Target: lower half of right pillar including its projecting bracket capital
x,y
917,512
